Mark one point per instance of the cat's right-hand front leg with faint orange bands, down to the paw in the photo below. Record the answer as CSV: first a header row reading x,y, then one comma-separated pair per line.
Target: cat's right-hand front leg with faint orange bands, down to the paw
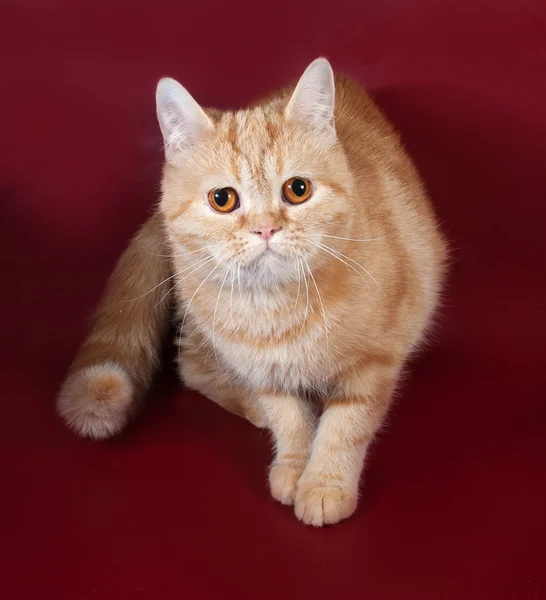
x,y
328,489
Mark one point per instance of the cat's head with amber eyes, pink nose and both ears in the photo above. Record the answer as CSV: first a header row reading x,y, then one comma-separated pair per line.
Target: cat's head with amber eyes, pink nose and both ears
x,y
249,189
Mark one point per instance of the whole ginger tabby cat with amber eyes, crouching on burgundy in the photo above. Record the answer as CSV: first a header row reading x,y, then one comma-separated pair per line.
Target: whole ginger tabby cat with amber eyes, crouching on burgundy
x,y
304,262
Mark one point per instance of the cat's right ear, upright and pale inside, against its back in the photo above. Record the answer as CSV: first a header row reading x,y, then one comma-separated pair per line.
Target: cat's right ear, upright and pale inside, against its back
x,y
312,101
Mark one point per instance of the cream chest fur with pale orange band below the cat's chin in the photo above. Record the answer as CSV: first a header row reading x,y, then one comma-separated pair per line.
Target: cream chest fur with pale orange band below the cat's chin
x,y
265,343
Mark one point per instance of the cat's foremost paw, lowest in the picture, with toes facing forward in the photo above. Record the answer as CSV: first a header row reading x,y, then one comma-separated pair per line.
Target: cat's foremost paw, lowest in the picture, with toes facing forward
x,y
318,504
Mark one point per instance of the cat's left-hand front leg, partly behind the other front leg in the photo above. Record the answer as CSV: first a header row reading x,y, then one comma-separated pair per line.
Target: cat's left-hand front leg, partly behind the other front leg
x,y
291,422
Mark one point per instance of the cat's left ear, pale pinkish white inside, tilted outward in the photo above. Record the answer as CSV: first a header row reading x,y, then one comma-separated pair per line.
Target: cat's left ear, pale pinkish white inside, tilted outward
x,y
181,119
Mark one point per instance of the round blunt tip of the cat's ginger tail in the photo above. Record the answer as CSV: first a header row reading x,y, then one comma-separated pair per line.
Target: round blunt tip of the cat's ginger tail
x,y
96,401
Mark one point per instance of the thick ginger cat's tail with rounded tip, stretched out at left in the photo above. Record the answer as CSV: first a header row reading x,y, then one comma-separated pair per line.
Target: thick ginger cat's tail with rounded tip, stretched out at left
x,y
115,365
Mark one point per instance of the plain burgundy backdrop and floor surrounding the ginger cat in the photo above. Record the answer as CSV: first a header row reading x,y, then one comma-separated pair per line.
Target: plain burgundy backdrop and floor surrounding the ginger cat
x,y
178,507
